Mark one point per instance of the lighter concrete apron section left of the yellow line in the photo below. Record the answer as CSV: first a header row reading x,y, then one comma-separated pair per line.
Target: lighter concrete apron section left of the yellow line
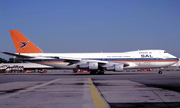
x,y
58,93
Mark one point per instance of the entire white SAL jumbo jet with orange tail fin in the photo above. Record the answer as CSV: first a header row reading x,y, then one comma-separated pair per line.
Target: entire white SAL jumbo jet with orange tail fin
x,y
96,63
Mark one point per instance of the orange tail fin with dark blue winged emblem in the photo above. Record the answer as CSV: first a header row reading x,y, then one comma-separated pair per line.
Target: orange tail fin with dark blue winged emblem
x,y
23,44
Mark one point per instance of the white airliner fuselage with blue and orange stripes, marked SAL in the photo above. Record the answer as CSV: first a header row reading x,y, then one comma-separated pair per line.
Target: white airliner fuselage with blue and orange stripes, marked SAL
x,y
135,59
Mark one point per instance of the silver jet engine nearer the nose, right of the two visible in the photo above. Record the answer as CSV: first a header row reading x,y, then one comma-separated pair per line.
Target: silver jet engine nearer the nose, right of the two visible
x,y
116,68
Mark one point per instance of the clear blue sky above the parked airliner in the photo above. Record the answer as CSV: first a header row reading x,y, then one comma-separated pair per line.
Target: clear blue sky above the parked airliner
x,y
92,25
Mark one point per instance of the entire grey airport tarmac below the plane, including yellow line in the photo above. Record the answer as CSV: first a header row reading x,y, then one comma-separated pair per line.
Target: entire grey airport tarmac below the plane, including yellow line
x,y
76,90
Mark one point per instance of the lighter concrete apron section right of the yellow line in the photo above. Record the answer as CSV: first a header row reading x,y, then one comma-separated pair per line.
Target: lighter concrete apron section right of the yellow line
x,y
125,93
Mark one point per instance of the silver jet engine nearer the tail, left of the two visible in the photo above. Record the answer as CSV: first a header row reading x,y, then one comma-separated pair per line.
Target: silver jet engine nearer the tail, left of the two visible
x,y
90,66
